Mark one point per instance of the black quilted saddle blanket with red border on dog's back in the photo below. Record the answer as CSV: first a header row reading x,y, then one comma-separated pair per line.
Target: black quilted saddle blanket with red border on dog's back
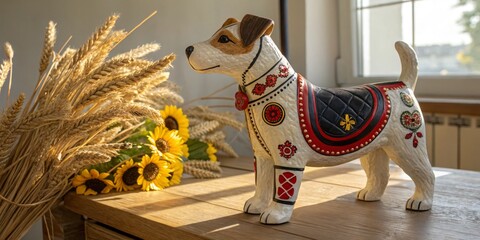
x,y
342,120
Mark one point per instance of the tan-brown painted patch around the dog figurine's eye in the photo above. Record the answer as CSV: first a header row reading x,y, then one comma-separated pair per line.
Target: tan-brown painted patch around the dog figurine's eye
x,y
226,42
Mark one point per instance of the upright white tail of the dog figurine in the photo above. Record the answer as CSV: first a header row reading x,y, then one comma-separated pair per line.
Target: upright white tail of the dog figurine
x,y
408,58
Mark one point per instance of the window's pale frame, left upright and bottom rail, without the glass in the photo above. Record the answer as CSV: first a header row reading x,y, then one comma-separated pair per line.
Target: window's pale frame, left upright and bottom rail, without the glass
x,y
455,86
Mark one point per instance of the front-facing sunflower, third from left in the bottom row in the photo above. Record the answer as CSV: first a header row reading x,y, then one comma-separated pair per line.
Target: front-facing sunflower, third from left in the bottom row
x,y
153,172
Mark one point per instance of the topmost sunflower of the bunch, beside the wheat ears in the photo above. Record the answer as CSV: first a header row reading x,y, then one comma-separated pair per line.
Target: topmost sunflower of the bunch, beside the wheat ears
x,y
176,120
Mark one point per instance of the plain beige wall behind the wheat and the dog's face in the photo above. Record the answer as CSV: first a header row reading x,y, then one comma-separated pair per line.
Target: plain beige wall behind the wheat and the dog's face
x,y
177,24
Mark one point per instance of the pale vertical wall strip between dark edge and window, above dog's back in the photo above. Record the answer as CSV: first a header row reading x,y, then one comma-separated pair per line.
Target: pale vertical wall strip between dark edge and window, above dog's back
x,y
313,36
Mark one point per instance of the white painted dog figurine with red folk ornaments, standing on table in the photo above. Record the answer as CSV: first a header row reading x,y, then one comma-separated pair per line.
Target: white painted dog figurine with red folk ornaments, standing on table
x,y
293,123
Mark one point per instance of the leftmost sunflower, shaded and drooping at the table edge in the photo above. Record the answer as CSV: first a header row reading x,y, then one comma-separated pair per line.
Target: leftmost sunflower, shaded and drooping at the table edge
x,y
92,182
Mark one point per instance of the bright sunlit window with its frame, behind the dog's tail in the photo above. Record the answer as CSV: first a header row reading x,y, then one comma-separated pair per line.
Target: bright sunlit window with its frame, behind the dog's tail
x,y
441,31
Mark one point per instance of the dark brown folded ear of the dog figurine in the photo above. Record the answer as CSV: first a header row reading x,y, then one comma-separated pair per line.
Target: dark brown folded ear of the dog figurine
x,y
253,27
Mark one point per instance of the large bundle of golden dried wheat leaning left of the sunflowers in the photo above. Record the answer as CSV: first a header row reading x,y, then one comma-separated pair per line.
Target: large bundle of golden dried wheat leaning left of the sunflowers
x,y
83,103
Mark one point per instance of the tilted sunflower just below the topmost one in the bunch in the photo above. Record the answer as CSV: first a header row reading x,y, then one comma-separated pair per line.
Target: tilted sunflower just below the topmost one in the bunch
x,y
166,143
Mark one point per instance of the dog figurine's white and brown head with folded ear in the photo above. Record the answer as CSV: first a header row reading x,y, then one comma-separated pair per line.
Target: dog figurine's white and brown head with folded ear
x,y
235,48
